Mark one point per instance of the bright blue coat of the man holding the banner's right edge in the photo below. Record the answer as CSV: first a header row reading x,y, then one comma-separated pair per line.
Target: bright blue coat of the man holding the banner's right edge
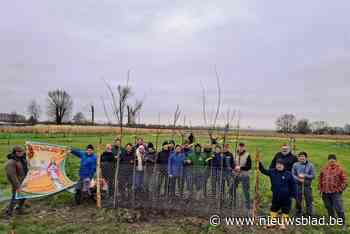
x,y
87,164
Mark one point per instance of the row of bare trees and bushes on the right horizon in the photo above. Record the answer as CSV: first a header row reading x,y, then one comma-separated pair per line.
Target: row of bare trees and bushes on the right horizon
x,y
288,123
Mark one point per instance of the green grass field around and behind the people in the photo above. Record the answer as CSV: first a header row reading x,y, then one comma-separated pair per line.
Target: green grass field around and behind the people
x,y
318,149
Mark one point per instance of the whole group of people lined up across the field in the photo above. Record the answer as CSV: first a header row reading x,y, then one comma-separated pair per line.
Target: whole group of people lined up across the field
x,y
197,172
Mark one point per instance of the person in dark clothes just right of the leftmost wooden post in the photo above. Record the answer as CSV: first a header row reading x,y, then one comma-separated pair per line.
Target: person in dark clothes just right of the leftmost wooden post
x,y
108,160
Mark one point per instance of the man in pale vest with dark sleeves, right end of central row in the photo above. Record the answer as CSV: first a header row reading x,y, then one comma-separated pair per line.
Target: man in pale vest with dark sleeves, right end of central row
x,y
243,164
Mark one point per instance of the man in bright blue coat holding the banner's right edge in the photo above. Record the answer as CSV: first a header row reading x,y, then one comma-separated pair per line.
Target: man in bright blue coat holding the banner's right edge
x,y
86,171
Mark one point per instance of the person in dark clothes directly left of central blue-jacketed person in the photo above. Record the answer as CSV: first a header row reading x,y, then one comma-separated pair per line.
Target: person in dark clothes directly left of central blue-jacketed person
x,y
162,161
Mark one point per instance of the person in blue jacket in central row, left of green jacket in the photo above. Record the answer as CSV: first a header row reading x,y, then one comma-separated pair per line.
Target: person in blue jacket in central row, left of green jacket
x,y
175,170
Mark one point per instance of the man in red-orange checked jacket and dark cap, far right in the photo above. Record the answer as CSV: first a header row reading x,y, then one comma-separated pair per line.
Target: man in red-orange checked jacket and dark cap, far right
x,y
332,182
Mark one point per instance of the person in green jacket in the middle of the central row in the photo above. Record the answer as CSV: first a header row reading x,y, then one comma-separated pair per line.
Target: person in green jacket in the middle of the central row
x,y
198,162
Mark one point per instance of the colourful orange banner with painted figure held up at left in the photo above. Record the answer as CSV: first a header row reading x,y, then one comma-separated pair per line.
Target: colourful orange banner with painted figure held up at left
x,y
46,175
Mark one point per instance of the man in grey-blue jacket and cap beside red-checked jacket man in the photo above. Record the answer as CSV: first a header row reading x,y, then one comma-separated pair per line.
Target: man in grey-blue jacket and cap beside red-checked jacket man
x,y
303,172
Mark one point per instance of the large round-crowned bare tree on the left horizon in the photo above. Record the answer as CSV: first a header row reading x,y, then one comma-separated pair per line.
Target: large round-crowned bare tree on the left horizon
x,y
60,105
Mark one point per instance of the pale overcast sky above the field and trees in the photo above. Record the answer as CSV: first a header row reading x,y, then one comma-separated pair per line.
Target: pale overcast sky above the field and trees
x,y
273,57
